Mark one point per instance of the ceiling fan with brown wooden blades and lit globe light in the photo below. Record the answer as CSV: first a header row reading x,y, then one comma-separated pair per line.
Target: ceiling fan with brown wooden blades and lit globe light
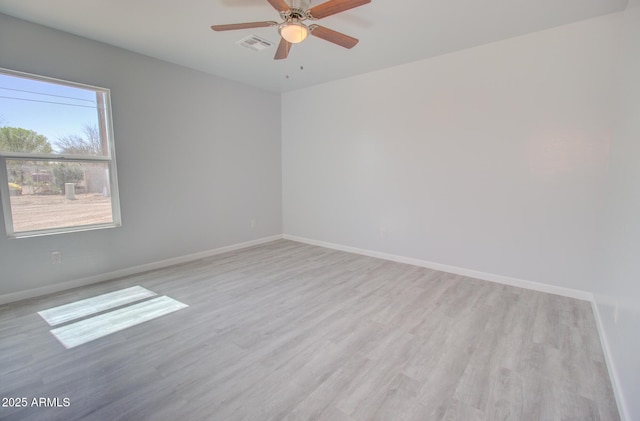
x,y
293,30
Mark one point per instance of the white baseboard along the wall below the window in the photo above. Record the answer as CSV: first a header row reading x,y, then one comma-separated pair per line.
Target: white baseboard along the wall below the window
x,y
62,286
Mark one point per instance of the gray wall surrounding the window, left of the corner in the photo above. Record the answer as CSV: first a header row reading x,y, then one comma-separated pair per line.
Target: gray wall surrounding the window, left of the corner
x,y
198,157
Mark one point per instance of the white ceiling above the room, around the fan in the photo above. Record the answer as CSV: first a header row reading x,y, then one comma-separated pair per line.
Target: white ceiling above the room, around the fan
x,y
391,32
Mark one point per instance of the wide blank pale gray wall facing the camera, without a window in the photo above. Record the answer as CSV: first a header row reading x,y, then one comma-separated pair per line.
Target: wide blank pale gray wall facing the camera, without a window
x,y
492,159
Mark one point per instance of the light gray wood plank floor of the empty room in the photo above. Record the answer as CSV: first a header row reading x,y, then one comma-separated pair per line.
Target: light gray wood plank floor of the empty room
x,y
288,331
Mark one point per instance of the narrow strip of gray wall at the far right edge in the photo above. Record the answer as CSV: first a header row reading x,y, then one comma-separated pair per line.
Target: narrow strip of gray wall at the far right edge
x,y
617,291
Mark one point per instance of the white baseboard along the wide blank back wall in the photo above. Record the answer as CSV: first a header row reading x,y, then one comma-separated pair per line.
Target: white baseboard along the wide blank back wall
x,y
535,286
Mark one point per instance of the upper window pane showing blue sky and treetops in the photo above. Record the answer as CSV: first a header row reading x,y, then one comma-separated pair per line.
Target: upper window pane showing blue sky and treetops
x,y
37,116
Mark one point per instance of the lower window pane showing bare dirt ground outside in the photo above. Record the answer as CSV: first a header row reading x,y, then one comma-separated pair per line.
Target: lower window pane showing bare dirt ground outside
x,y
47,194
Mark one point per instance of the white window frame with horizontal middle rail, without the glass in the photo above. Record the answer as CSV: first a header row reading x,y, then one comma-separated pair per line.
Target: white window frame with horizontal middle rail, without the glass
x,y
106,129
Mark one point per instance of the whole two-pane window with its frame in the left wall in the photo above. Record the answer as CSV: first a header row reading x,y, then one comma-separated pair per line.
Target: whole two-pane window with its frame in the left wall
x,y
57,160
